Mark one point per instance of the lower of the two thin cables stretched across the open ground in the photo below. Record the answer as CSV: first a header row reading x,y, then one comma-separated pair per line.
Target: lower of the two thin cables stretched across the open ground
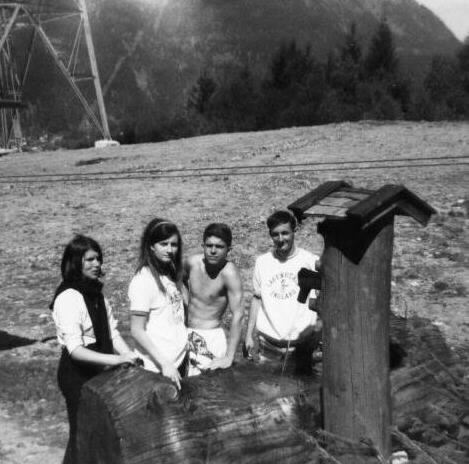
x,y
144,176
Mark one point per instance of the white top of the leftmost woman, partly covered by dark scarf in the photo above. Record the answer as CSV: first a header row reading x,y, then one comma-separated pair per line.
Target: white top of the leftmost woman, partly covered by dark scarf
x,y
73,322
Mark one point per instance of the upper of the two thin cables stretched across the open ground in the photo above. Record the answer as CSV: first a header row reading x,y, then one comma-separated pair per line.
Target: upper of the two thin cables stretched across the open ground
x,y
232,167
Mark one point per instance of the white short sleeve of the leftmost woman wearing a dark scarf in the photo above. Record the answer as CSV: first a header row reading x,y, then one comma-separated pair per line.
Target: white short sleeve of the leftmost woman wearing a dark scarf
x,y
68,311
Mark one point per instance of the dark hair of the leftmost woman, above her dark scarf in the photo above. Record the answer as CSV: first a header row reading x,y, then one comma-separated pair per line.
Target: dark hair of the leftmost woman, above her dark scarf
x,y
72,259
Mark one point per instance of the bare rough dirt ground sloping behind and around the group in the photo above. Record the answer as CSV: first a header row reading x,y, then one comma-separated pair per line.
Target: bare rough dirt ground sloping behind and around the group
x,y
430,273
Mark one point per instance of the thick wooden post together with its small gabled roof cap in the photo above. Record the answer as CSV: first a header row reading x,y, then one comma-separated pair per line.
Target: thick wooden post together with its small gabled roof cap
x,y
355,303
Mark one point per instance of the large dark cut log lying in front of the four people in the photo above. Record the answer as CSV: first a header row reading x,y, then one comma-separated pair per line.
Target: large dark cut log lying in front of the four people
x,y
244,414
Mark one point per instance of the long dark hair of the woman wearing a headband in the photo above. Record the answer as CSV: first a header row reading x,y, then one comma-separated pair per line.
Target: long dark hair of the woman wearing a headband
x,y
156,231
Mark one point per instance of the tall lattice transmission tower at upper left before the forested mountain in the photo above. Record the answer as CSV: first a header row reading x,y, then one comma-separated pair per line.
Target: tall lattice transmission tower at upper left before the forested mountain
x,y
76,62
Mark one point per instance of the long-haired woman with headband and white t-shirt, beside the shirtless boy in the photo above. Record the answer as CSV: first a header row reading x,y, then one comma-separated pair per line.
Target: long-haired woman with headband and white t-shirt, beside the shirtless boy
x,y
156,300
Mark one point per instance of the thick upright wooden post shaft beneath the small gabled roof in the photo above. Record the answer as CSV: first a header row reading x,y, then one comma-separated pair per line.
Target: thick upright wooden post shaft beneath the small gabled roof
x,y
355,302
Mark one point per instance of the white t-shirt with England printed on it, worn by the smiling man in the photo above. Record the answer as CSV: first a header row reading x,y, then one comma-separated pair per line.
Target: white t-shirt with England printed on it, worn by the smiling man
x,y
281,316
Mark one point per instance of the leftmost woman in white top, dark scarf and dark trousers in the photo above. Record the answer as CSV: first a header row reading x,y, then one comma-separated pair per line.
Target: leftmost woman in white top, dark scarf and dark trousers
x,y
85,327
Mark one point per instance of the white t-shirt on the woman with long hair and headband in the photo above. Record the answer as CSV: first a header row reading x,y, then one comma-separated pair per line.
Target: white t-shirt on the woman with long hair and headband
x,y
165,325
